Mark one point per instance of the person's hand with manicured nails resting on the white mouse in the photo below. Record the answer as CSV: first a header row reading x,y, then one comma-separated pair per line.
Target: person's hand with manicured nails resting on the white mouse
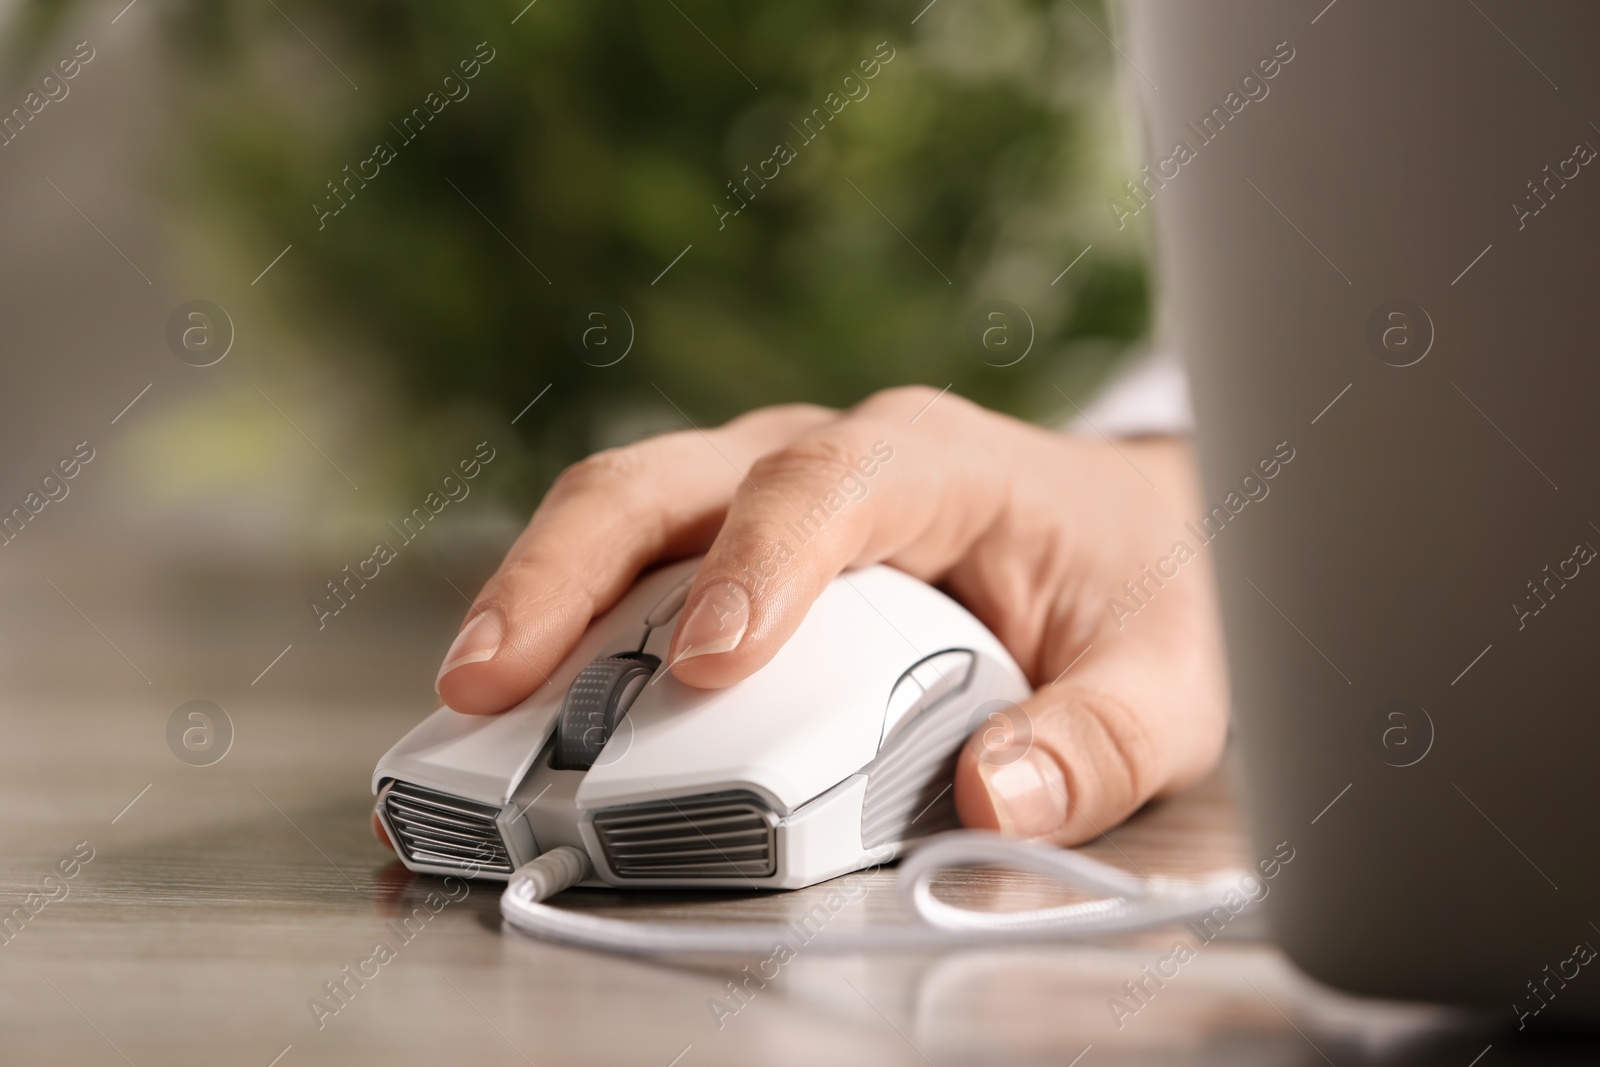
x,y
1033,532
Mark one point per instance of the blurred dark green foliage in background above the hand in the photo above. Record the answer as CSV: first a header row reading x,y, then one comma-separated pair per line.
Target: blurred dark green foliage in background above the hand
x,y
598,145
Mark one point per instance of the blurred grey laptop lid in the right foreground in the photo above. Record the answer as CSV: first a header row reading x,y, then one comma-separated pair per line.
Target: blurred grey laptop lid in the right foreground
x,y
1378,246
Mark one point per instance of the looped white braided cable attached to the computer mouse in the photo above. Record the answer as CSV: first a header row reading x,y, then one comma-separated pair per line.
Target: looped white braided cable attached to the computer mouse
x,y
1129,903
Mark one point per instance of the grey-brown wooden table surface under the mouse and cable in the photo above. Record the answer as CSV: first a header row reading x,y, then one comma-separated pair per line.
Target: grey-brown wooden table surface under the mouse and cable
x,y
225,898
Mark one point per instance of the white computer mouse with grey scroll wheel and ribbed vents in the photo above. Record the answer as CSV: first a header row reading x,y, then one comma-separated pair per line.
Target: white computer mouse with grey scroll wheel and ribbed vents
x,y
833,757
